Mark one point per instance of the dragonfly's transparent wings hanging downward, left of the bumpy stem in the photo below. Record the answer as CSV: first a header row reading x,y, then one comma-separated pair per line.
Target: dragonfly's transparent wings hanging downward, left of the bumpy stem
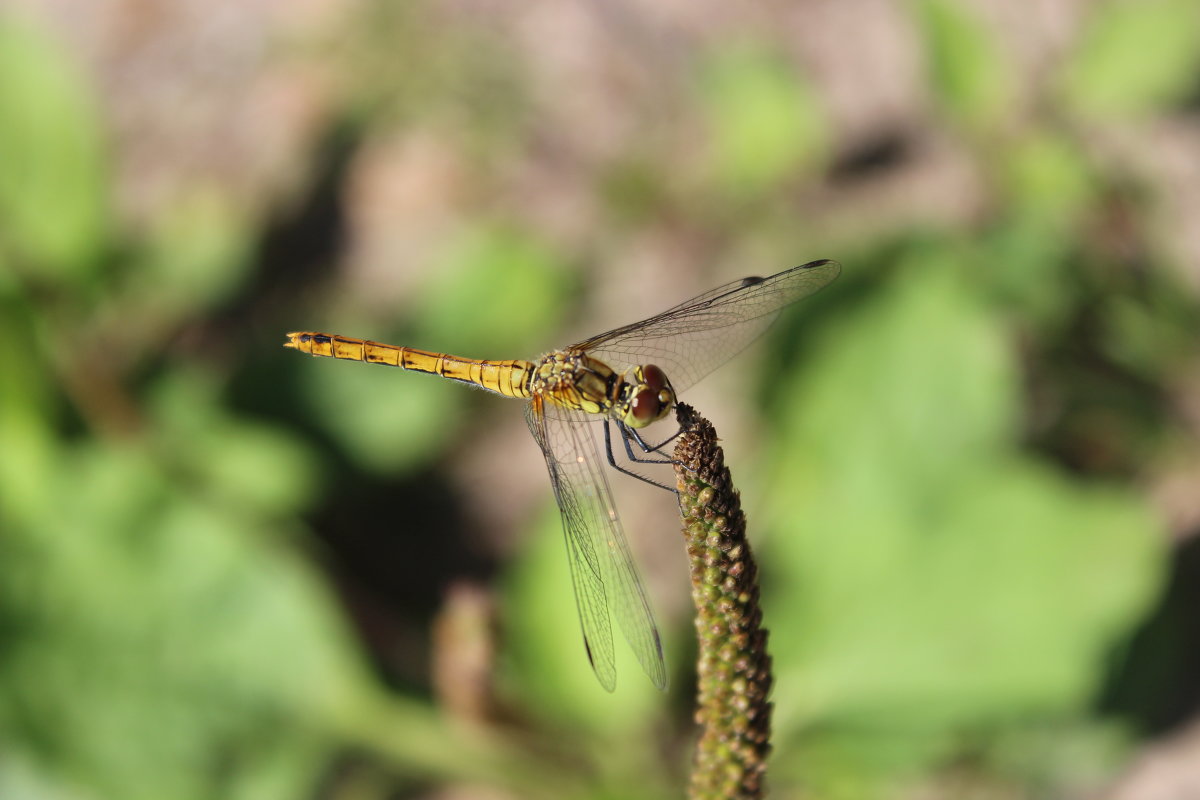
x,y
603,570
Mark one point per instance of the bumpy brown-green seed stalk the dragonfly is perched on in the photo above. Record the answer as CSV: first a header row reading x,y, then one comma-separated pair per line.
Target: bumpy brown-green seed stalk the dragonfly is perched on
x,y
734,667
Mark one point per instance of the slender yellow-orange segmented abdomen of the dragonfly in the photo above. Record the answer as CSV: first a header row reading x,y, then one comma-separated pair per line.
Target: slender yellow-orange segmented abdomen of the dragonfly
x,y
508,378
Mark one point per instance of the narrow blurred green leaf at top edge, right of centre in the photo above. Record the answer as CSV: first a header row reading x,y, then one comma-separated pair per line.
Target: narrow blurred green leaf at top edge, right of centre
x,y
968,71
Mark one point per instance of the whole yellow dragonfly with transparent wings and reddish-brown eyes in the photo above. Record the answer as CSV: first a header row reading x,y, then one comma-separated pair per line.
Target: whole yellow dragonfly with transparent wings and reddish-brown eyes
x,y
623,380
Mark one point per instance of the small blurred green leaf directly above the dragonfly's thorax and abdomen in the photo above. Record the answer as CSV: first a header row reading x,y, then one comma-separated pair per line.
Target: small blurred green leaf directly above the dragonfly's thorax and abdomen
x,y
499,290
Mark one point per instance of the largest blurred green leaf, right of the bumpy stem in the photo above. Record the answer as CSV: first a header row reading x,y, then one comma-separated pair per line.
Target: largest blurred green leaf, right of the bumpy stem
x,y
935,578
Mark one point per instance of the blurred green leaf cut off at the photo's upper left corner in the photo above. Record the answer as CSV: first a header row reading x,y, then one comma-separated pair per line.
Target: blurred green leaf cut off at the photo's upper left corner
x,y
53,204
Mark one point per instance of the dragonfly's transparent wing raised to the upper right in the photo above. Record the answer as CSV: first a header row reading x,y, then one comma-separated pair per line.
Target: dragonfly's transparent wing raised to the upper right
x,y
695,338
